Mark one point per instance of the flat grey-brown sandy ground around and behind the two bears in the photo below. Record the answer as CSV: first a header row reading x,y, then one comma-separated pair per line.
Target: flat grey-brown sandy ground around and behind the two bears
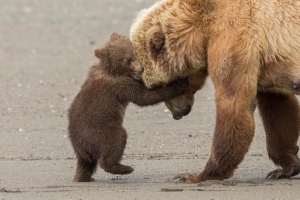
x,y
46,49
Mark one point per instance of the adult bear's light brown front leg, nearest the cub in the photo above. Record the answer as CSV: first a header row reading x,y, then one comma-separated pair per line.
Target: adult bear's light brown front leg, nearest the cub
x,y
233,69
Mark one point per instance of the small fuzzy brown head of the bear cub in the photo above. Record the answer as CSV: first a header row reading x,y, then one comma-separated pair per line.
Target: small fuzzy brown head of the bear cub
x,y
117,57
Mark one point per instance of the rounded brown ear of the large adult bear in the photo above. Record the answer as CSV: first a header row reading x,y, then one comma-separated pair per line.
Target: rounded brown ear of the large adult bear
x,y
155,42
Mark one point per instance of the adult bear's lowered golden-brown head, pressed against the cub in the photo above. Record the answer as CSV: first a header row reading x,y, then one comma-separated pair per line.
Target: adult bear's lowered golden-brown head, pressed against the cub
x,y
170,45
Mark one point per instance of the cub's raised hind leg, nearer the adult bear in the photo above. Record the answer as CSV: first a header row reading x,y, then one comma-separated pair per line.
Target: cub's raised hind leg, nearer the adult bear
x,y
113,150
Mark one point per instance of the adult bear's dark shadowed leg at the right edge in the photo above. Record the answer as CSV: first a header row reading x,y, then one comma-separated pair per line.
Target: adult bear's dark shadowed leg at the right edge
x,y
281,118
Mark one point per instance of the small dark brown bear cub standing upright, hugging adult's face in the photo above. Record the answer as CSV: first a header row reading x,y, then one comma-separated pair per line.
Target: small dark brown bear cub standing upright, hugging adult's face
x,y
97,112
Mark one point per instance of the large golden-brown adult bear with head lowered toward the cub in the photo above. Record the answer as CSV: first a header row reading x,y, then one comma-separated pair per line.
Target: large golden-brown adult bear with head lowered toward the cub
x,y
251,51
